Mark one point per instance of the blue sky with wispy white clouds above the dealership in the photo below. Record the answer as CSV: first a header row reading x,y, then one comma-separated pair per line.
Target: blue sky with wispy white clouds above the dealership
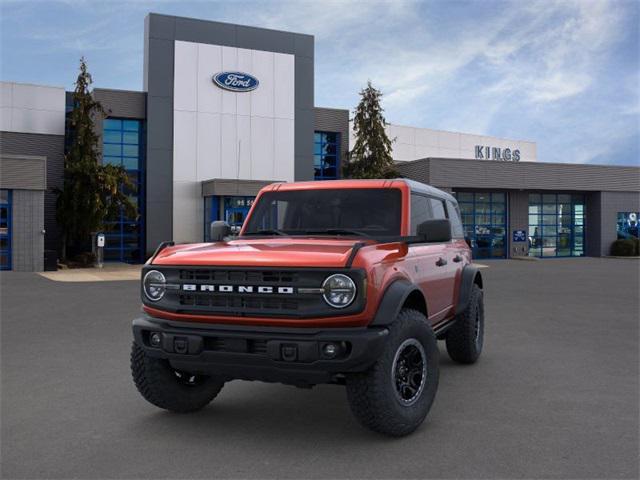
x,y
565,74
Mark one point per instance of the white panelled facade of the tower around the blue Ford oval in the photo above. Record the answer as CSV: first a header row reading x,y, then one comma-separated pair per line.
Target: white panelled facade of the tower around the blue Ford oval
x,y
224,134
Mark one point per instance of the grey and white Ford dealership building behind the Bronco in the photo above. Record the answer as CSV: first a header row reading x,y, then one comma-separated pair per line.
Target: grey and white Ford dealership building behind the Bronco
x,y
226,109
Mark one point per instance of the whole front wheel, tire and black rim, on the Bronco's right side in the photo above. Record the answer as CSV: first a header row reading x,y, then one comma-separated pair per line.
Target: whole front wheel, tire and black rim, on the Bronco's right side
x,y
394,396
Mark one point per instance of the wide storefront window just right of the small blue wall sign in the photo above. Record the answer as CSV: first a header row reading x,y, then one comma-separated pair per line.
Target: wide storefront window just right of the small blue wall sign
x,y
556,225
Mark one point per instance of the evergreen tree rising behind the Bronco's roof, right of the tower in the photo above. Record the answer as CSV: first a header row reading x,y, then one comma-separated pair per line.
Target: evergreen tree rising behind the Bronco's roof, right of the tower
x,y
371,154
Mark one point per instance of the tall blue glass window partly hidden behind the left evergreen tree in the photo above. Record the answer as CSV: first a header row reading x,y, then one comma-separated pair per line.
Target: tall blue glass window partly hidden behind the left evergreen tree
x,y
123,145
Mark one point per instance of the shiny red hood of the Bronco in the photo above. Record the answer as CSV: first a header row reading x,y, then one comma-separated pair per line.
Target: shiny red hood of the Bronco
x,y
265,252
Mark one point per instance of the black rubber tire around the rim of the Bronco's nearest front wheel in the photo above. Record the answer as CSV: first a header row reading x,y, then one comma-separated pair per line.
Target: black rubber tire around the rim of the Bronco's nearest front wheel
x,y
372,394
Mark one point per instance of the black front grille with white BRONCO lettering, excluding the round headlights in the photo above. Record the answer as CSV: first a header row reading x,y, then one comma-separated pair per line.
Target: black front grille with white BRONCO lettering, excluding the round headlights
x,y
292,292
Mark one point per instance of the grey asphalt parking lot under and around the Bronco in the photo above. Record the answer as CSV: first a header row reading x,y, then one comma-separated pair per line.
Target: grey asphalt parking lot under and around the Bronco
x,y
555,394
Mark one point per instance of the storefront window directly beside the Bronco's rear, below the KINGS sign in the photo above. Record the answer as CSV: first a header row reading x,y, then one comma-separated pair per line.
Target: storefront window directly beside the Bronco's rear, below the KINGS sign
x,y
484,219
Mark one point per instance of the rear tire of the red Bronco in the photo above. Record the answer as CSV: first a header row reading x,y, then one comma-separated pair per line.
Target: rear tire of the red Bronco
x,y
464,342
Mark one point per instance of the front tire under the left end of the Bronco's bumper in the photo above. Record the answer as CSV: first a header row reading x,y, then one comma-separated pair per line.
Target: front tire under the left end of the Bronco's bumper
x,y
159,384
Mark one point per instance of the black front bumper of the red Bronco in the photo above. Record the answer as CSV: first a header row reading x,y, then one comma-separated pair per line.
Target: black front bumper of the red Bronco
x,y
273,354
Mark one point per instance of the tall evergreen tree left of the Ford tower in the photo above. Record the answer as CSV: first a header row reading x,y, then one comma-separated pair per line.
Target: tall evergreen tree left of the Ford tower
x,y
91,192
